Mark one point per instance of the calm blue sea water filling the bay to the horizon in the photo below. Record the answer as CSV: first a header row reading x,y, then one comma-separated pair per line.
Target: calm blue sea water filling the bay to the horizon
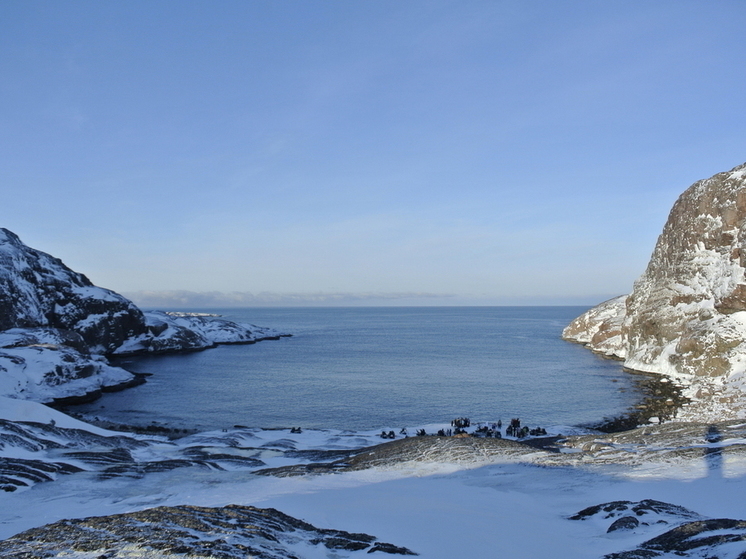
x,y
366,368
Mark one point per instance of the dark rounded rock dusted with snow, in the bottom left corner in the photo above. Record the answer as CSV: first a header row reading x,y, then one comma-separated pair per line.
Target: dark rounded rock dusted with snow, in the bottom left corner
x,y
229,532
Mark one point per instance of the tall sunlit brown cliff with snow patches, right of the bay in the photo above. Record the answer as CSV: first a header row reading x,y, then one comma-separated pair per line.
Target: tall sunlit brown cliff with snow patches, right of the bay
x,y
686,315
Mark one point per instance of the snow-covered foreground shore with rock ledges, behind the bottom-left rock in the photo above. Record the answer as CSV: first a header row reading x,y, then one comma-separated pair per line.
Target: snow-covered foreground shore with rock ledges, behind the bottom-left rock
x,y
442,498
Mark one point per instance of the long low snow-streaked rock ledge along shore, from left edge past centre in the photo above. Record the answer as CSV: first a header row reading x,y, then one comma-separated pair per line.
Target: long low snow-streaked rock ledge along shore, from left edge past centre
x,y
70,449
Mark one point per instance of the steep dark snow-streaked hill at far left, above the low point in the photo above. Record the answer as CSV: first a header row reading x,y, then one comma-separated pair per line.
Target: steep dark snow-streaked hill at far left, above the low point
x,y
38,290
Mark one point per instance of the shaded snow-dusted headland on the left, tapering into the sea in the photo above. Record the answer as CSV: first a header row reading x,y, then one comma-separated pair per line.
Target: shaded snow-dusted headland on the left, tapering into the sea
x,y
56,329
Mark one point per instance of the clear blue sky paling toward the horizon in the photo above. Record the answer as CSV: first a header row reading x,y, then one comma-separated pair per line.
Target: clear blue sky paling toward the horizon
x,y
346,152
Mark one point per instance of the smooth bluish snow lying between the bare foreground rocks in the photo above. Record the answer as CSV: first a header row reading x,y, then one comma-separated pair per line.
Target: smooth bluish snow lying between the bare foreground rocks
x,y
499,507
